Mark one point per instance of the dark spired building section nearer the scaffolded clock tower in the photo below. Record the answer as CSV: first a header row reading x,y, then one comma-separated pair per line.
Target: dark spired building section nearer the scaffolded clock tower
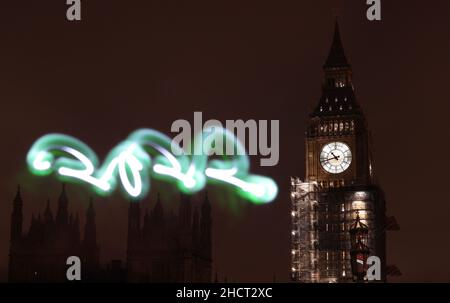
x,y
169,248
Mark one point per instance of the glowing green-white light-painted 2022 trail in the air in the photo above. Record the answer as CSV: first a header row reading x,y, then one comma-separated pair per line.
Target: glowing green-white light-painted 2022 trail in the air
x,y
144,154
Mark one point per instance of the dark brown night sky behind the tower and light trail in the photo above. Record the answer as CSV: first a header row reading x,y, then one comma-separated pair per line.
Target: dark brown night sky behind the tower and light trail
x,y
148,63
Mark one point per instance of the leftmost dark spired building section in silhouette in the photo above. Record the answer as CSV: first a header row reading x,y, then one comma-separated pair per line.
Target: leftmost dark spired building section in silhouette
x,y
40,255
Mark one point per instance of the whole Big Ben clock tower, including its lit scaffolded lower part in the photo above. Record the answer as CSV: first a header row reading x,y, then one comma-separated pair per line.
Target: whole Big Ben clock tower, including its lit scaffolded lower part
x,y
339,187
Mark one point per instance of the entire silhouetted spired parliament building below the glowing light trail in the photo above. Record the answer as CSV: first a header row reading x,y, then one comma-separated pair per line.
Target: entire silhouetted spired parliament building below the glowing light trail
x,y
161,247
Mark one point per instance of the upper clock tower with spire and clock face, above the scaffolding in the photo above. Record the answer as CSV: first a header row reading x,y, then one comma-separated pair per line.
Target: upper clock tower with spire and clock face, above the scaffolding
x,y
337,144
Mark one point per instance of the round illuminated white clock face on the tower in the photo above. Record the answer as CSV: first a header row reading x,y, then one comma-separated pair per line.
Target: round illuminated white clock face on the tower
x,y
335,157
